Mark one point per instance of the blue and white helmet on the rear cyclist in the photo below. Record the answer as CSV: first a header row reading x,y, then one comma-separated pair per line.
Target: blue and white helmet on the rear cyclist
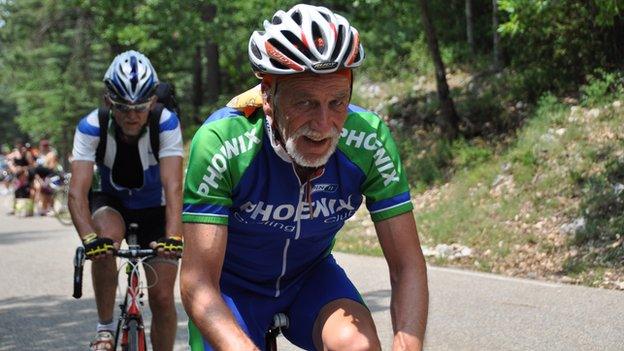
x,y
131,78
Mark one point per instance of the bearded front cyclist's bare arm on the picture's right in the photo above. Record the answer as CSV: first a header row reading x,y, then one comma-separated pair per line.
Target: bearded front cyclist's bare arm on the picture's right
x,y
408,276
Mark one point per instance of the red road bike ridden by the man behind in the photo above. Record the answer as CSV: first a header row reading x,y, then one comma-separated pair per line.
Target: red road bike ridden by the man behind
x,y
130,332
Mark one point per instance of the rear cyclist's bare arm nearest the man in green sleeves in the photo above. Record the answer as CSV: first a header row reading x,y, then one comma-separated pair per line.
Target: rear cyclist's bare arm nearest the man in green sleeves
x,y
171,176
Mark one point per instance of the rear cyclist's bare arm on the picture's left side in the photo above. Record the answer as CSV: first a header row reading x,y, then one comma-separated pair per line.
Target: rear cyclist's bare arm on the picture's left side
x,y
82,174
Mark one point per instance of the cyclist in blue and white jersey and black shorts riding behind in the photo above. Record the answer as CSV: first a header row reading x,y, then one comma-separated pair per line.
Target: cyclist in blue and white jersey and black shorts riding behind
x,y
130,185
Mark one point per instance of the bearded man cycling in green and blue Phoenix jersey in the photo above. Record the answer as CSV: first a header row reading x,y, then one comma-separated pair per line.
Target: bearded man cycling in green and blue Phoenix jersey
x,y
272,179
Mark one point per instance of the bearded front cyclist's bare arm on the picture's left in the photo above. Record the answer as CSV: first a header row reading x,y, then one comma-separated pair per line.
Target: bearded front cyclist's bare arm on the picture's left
x,y
199,286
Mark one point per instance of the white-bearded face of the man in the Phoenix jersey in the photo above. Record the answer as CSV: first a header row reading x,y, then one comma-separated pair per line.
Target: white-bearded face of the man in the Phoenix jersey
x,y
310,111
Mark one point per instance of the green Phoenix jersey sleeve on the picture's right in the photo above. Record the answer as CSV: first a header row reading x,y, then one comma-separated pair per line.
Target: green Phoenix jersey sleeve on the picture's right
x,y
373,149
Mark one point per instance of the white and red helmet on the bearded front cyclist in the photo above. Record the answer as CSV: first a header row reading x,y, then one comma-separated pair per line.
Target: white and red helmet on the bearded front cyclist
x,y
305,39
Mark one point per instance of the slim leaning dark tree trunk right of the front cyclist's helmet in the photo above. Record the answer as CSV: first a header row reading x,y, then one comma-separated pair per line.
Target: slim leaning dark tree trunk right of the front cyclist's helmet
x,y
448,119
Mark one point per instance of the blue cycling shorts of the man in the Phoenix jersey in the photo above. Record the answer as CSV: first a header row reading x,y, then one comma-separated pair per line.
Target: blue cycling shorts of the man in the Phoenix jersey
x,y
301,303
